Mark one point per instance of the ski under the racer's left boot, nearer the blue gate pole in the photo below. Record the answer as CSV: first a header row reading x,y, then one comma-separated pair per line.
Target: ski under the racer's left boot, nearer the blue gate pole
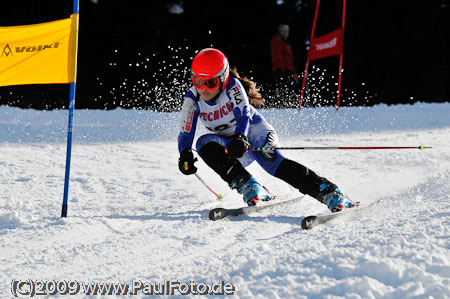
x,y
221,213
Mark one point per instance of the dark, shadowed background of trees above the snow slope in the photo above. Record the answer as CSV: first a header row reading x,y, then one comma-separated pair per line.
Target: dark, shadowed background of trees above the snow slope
x,y
136,54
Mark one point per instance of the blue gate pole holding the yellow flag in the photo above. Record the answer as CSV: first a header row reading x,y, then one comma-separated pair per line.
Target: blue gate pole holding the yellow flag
x,y
69,133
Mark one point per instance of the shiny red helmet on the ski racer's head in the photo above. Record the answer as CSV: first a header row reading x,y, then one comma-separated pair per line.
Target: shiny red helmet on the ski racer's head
x,y
210,69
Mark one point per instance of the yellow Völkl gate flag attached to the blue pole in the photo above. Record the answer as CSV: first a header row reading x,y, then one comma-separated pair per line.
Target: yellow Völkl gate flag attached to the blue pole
x,y
43,53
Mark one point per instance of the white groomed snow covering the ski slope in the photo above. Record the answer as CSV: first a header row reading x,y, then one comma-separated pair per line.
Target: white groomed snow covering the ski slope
x,y
133,216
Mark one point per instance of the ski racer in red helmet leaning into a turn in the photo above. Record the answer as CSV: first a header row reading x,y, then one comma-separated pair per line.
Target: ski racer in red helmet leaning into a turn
x,y
218,98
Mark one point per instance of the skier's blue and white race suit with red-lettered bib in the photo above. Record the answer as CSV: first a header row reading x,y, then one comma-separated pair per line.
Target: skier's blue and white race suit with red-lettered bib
x,y
227,114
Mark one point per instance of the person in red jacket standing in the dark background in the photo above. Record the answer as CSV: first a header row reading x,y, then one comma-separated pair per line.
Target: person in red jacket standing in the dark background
x,y
282,55
